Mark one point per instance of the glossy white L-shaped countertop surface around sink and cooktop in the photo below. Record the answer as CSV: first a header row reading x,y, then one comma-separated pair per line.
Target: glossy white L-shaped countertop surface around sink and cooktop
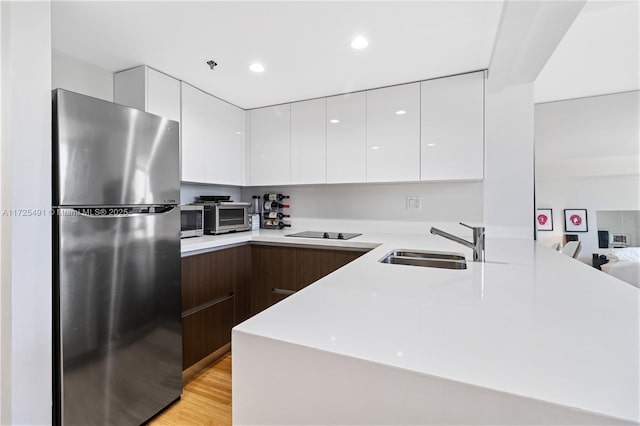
x,y
530,321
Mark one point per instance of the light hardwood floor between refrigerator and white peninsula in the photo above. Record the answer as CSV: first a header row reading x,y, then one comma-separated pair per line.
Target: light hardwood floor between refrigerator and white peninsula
x,y
206,399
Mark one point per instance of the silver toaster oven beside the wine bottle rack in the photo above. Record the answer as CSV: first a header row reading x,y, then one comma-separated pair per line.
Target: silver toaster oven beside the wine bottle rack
x,y
223,217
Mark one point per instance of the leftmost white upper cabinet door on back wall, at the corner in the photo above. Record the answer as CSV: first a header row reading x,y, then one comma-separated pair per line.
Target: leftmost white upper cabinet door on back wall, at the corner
x,y
270,145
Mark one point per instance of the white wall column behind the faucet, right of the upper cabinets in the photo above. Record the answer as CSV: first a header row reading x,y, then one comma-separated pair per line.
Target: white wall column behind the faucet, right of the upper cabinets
x,y
508,183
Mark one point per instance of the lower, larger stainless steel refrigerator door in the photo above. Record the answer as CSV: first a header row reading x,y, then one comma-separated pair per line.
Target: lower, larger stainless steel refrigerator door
x,y
119,317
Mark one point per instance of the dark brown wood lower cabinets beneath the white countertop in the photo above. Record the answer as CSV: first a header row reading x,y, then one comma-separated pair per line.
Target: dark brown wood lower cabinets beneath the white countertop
x,y
223,288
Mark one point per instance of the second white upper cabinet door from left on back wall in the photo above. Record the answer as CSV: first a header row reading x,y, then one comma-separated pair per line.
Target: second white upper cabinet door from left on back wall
x,y
309,142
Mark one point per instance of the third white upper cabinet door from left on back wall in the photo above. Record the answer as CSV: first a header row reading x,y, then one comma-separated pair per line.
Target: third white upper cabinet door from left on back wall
x,y
346,138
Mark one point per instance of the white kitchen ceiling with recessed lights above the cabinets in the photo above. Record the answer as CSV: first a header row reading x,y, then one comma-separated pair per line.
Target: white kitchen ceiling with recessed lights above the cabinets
x,y
304,45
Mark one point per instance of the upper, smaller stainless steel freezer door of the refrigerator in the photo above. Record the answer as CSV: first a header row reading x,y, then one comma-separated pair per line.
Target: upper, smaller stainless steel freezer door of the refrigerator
x,y
109,154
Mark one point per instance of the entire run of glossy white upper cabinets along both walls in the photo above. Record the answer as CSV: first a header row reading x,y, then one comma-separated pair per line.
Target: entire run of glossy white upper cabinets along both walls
x,y
430,131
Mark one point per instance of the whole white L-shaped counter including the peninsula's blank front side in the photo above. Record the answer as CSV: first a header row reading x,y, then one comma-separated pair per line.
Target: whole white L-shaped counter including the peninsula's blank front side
x,y
529,336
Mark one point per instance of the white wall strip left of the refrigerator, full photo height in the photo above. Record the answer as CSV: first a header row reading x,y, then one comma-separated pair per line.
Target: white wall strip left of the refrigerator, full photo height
x,y
26,240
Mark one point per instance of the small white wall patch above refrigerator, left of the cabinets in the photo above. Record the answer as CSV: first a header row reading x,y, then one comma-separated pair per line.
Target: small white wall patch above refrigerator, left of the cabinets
x,y
74,74
